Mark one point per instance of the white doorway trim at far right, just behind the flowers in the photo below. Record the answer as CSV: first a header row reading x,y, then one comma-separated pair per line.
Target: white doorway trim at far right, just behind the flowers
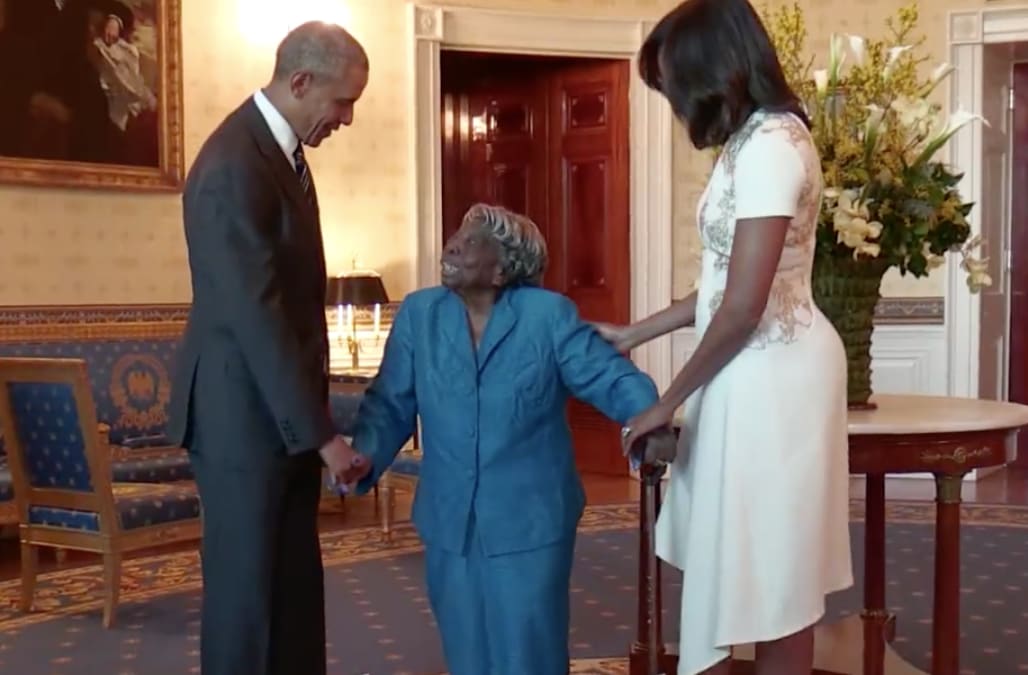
x,y
969,32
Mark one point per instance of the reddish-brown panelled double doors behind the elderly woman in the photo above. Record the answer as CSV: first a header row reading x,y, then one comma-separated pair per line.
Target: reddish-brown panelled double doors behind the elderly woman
x,y
549,138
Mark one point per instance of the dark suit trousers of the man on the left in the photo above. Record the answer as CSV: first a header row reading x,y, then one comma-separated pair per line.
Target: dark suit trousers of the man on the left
x,y
264,610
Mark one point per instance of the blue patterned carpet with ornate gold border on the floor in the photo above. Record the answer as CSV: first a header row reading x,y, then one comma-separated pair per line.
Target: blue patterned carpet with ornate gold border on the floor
x,y
380,622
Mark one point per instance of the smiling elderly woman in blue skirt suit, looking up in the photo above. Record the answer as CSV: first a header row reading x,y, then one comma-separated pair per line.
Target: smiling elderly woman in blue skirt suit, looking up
x,y
489,361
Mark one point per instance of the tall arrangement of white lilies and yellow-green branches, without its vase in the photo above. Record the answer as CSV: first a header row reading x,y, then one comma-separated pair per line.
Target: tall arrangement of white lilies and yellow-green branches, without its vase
x,y
889,202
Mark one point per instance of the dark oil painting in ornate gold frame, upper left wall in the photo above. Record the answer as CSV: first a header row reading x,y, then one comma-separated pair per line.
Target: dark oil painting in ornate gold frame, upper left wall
x,y
92,94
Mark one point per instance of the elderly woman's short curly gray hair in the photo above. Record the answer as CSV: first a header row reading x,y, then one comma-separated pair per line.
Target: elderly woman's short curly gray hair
x,y
523,249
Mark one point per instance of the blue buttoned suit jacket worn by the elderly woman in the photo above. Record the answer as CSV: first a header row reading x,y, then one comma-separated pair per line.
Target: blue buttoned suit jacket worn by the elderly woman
x,y
497,444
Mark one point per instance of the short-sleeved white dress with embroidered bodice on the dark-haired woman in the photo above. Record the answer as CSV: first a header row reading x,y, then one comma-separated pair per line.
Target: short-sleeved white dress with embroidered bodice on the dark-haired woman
x,y
757,508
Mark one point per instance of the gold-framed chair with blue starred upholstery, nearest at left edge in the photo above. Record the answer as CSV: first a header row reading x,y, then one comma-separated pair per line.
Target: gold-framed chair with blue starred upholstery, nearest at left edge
x,y
61,469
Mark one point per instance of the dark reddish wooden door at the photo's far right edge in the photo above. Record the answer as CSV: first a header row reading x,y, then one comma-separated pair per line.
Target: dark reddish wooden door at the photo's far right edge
x,y
1019,248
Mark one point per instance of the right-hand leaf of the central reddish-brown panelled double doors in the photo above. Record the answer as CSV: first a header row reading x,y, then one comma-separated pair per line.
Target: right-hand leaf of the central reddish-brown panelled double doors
x,y
590,202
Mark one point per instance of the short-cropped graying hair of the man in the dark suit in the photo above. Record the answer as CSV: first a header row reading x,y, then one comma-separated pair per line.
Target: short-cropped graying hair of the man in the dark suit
x,y
319,49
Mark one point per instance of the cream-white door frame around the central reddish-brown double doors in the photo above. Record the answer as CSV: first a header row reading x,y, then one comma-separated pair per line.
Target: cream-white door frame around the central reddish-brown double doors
x,y
433,28
